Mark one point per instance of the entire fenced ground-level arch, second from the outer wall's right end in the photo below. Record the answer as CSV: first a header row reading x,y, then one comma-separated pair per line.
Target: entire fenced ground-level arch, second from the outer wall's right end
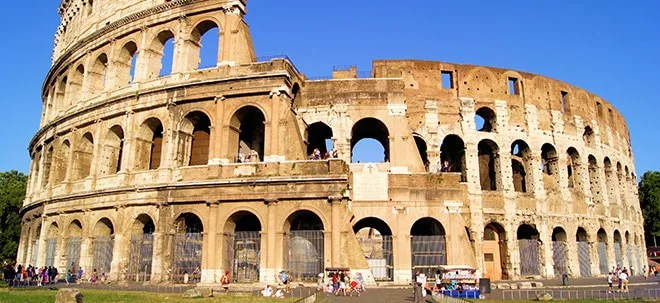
x,y
243,246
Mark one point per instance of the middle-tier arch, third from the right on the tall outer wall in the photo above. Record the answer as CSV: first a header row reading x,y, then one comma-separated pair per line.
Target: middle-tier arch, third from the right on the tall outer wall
x,y
149,145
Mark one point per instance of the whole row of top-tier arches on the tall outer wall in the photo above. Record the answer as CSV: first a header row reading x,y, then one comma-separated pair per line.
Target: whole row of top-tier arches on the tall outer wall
x,y
134,60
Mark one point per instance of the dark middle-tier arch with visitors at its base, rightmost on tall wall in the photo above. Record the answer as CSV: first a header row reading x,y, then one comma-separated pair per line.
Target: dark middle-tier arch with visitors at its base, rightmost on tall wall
x,y
247,135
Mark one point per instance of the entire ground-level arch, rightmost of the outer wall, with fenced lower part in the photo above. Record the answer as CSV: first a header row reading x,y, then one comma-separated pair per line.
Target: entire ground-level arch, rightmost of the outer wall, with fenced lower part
x,y
304,249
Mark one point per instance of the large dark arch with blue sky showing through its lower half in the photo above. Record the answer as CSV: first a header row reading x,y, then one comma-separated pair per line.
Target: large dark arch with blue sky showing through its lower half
x,y
373,129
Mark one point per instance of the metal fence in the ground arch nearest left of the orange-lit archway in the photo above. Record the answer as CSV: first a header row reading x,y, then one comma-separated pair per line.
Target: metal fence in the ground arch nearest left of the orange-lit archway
x,y
427,254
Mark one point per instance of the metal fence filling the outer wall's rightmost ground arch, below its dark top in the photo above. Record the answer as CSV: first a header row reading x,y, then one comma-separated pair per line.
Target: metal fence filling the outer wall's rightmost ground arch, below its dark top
x,y
305,255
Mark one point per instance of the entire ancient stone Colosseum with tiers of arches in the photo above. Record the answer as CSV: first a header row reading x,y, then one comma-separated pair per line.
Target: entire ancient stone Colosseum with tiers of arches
x,y
246,164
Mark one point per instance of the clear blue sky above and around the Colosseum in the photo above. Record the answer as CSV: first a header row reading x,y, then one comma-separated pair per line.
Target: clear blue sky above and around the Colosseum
x,y
611,48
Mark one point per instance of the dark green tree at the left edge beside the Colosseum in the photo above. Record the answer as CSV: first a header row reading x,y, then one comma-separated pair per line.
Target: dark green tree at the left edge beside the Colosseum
x,y
12,193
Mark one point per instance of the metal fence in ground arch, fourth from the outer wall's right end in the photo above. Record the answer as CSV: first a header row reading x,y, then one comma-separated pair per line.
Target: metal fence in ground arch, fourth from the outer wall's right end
x,y
140,259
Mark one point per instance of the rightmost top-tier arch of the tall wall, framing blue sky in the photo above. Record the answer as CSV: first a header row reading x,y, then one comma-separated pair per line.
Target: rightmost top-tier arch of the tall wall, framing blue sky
x,y
207,35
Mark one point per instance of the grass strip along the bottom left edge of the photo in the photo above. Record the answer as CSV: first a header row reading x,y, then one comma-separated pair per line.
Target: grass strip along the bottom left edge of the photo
x,y
104,296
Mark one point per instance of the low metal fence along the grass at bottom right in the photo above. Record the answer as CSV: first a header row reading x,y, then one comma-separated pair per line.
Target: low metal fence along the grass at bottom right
x,y
561,294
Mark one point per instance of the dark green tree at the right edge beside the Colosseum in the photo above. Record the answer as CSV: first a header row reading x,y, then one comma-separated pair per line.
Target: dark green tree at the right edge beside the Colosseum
x,y
649,199
